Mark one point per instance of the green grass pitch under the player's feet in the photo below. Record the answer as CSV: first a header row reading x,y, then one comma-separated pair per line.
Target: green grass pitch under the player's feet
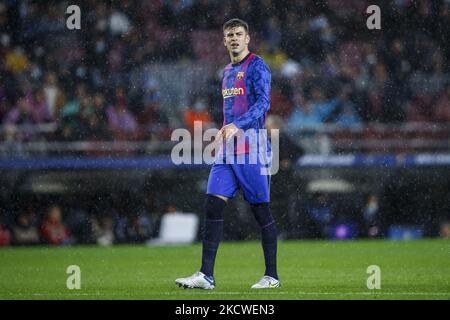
x,y
418,269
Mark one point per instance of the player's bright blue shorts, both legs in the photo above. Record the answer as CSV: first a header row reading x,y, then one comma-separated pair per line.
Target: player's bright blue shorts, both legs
x,y
226,179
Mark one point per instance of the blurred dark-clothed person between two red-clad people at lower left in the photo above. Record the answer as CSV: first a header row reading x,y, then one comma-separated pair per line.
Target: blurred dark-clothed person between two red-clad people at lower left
x,y
25,231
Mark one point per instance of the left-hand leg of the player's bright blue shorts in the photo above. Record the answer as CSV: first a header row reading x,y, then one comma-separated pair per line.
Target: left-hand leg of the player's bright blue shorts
x,y
222,181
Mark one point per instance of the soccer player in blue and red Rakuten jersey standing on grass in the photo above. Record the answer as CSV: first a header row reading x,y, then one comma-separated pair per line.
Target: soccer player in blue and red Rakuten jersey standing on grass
x,y
246,100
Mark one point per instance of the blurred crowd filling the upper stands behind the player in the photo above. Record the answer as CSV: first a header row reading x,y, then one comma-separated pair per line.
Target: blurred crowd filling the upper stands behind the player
x,y
327,66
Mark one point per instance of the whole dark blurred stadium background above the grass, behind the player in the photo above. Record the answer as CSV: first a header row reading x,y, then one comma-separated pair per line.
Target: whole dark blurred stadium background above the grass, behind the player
x,y
376,164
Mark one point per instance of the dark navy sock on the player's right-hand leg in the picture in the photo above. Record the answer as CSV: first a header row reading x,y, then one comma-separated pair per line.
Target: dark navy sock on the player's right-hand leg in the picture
x,y
268,237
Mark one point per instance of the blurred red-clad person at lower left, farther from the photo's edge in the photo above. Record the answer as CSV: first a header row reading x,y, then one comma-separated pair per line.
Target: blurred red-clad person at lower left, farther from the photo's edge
x,y
53,229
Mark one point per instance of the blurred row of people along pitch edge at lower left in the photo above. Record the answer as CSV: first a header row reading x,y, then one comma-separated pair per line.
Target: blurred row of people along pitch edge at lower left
x,y
57,224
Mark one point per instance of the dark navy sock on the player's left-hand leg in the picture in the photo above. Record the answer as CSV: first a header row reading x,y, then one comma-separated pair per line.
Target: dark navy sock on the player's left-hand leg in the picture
x,y
212,232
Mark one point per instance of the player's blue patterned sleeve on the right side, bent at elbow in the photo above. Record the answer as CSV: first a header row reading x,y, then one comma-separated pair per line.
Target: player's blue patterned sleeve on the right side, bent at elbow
x,y
261,77
